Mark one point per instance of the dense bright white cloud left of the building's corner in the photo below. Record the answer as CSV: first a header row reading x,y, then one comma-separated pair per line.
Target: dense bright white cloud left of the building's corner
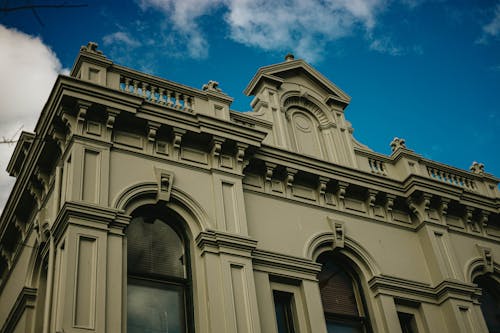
x,y
29,69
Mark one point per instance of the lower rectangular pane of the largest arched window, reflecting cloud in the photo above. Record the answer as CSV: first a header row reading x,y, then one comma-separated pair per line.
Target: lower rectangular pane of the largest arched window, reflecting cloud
x,y
155,309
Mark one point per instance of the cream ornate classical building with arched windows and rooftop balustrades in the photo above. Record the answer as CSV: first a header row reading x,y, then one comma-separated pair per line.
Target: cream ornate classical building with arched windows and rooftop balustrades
x,y
143,205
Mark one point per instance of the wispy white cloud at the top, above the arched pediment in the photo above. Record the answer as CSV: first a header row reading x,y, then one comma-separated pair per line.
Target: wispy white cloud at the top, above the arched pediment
x,y
303,27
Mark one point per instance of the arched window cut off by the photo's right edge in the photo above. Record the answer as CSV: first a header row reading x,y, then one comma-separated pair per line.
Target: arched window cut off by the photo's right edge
x,y
490,301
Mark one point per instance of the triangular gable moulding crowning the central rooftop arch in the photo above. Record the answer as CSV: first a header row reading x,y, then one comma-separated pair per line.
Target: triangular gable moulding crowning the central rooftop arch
x,y
282,72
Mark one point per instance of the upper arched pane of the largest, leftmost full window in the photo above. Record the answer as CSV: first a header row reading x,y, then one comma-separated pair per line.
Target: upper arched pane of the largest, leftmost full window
x,y
154,248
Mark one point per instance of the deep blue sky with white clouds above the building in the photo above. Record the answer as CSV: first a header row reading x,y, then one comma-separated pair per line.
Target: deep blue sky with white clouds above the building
x,y
427,71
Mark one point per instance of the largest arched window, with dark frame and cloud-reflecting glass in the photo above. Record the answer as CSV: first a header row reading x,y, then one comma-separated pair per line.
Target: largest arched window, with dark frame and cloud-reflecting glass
x,y
158,279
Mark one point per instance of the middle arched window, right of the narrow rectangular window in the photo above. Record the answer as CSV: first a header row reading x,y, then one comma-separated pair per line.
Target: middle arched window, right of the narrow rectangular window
x,y
341,296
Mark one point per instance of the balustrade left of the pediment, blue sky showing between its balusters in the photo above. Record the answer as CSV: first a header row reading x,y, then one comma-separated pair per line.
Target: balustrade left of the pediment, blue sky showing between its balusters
x,y
157,94
